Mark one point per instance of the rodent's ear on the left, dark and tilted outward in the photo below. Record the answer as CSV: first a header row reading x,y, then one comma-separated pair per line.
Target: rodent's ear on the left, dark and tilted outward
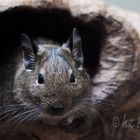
x,y
29,55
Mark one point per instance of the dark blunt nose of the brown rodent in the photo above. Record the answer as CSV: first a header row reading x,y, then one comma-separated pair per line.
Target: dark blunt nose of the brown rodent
x,y
56,110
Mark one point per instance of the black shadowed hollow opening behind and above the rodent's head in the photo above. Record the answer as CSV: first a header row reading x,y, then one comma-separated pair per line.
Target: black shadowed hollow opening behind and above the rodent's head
x,y
55,24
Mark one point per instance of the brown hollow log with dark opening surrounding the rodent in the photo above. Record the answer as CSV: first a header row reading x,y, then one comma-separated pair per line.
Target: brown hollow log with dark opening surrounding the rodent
x,y
111,45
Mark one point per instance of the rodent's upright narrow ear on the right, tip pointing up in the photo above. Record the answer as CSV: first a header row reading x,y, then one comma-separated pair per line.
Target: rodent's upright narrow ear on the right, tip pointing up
x,y
77,49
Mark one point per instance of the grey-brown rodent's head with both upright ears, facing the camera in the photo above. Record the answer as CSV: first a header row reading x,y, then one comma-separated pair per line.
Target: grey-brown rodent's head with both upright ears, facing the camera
x,y
51,78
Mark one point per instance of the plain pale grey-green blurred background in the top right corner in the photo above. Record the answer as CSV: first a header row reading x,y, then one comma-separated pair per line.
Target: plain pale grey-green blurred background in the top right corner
x,y
127,4
